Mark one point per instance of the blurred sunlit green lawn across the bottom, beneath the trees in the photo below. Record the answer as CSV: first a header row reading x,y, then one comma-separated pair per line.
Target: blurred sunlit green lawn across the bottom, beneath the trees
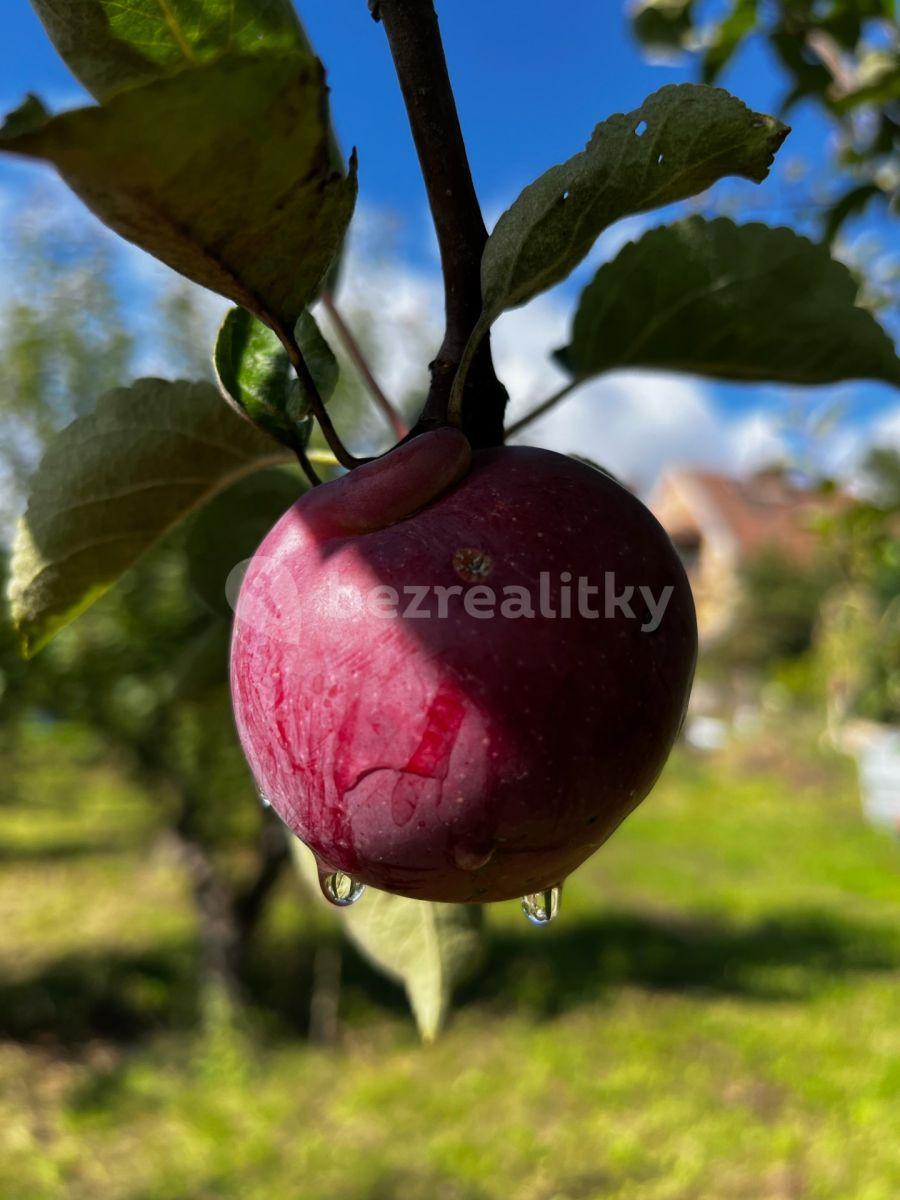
x,y
716,1015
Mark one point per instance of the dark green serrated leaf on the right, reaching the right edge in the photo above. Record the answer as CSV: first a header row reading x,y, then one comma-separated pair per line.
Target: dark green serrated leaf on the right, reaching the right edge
x,y
743,303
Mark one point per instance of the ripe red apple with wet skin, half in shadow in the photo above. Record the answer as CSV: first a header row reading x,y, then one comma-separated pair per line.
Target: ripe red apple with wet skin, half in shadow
x,y
459,759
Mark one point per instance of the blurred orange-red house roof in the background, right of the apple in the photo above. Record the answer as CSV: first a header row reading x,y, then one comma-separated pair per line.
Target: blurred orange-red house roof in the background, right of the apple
x,y
765,511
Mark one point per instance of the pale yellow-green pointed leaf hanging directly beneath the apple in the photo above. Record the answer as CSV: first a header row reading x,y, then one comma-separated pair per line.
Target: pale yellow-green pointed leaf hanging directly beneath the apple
x,y
429,949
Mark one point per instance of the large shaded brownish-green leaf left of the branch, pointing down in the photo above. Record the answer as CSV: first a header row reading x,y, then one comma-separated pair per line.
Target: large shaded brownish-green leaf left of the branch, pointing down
x,y
223,172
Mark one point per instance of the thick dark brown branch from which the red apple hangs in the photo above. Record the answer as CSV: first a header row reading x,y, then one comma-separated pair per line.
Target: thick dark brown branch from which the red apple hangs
x,y
417,49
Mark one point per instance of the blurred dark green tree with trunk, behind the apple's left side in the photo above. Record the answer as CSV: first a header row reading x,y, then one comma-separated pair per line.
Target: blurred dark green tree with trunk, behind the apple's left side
x,y
147,670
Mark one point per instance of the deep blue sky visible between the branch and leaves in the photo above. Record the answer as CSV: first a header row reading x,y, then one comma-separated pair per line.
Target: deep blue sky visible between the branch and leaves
x,y
531,86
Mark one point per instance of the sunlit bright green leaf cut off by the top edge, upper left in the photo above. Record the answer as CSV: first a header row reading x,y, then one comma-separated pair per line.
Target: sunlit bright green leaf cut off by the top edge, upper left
x,y
111,46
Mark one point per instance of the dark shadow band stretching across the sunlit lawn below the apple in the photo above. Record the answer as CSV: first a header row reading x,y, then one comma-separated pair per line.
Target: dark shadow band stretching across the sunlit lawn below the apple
x,y
536,974
